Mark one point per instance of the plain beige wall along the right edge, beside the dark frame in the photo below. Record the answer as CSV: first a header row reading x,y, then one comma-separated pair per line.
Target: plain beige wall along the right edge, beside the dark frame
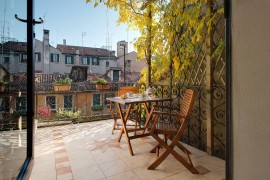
x,y
251,89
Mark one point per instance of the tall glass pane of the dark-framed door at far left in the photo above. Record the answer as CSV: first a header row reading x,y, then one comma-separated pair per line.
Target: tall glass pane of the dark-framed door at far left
x,y
13,95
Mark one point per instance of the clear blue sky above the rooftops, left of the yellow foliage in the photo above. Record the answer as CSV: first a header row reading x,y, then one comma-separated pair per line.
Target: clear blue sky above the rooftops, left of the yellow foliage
x,y
69,19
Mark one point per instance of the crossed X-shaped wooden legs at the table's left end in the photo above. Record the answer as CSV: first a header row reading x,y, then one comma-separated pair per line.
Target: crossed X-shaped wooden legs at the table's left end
x,y
124,127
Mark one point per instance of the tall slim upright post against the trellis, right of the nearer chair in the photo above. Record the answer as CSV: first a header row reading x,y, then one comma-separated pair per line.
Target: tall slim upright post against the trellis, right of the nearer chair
x,y
209,81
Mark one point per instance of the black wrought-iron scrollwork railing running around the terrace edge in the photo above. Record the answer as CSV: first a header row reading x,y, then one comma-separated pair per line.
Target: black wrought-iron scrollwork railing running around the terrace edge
x,y
82,100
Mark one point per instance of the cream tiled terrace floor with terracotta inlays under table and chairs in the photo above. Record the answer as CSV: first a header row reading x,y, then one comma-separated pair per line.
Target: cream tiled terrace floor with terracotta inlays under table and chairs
x,y
90,151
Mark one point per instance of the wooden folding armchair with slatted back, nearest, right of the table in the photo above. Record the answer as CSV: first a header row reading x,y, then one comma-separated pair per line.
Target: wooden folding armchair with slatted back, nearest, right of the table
x,y
172,130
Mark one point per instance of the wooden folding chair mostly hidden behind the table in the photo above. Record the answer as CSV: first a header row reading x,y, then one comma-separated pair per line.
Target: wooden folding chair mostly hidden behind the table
x,y
134,112
